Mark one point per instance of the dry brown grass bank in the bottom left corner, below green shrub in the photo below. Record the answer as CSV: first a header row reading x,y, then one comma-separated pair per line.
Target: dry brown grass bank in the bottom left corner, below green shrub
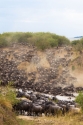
x,y
7,117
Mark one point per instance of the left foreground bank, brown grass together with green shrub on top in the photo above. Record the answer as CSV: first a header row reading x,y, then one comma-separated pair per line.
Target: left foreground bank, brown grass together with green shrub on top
x,y
7,98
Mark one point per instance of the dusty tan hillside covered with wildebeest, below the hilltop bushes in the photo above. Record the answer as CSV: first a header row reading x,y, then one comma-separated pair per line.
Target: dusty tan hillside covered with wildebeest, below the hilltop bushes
x,y
43,71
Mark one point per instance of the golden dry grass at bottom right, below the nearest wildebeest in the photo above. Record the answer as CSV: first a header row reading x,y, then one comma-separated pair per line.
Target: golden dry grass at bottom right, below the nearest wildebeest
x,y
66,120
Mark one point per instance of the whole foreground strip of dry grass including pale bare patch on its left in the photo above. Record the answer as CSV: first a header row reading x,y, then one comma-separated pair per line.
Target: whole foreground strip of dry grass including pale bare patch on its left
x,y
70,119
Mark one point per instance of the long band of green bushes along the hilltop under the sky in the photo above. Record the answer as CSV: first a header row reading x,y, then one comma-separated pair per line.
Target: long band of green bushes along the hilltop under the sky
x,y
41,40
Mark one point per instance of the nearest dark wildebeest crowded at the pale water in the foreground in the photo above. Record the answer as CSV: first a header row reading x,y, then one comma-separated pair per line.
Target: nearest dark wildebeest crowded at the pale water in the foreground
x,y
35,104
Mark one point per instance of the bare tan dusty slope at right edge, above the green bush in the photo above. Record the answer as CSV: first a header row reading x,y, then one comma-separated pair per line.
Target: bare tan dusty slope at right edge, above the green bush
x,y
77,69
